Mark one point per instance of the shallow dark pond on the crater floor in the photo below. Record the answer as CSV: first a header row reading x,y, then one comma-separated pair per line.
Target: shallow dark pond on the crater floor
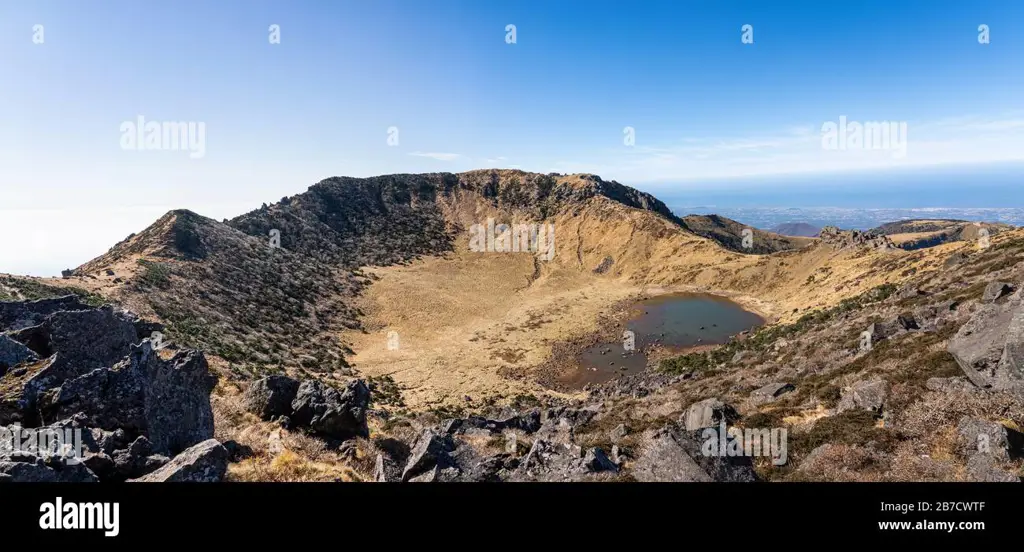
x,y
675,322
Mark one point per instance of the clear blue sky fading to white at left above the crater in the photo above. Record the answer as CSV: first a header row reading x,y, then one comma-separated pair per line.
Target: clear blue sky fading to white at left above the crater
x,y
280,117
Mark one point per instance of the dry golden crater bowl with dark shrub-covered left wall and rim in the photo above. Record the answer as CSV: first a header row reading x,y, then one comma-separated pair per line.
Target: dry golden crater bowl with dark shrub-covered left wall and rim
x,y
468,323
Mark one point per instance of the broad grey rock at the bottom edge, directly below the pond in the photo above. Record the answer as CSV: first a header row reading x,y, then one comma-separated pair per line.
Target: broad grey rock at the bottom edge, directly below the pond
x,y
668,455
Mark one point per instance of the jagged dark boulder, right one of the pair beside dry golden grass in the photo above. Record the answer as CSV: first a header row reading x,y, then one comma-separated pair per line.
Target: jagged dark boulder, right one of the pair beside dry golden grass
x,y
330,412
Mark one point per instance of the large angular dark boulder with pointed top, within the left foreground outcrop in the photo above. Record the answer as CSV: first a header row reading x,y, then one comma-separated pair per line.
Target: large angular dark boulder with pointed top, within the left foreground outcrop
x,y
168,402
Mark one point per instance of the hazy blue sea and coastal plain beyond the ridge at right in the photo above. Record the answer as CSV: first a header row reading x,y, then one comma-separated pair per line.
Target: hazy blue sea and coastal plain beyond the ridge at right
x,y
861,201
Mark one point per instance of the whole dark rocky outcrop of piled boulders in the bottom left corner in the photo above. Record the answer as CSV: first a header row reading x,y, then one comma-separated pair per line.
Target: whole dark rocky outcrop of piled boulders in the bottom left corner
x,y
122,411
